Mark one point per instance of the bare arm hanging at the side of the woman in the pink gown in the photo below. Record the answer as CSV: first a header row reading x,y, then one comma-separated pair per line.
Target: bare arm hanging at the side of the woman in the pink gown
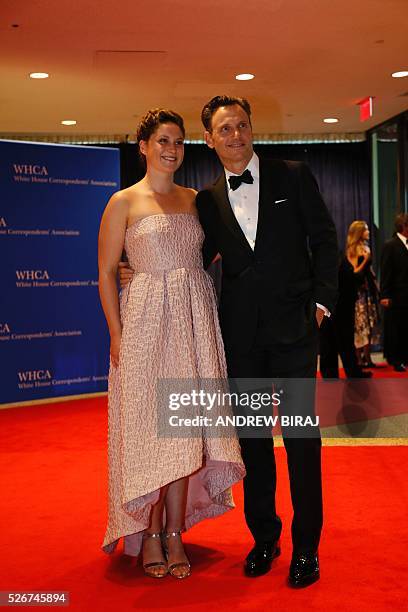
x,y
110,246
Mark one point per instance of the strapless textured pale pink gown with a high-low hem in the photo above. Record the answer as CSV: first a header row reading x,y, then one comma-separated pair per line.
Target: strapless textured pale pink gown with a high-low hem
x,y
170,330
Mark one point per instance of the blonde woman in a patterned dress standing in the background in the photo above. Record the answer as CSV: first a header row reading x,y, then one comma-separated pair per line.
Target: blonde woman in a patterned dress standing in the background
x,y
366,316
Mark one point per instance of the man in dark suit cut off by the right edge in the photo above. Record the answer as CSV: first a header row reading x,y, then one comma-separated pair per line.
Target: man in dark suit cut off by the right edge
x,y
394,295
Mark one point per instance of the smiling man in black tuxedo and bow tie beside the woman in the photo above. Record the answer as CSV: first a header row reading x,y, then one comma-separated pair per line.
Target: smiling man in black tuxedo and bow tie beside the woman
x,y
279,255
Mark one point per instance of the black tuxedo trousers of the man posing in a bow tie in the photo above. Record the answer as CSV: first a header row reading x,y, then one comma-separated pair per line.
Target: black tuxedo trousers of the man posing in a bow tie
x,y
297,360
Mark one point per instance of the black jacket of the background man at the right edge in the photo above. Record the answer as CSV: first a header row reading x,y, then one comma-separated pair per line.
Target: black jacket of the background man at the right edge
x,y
394,273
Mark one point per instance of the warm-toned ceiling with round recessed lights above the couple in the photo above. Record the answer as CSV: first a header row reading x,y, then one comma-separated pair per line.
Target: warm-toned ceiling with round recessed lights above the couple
x,y
109,61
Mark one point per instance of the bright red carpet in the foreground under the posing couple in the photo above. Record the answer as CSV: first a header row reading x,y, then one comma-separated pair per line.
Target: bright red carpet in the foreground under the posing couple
x,y
53,513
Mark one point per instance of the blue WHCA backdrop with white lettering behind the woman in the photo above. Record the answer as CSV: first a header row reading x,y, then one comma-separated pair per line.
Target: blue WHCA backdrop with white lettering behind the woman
x,y
53,336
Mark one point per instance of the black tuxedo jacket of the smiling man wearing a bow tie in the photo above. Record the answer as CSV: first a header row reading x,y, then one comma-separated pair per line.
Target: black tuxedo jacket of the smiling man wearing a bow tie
x,y
294,264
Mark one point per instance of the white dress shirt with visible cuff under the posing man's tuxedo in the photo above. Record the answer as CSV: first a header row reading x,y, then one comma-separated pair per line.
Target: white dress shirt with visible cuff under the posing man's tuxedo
x,y
244,203
